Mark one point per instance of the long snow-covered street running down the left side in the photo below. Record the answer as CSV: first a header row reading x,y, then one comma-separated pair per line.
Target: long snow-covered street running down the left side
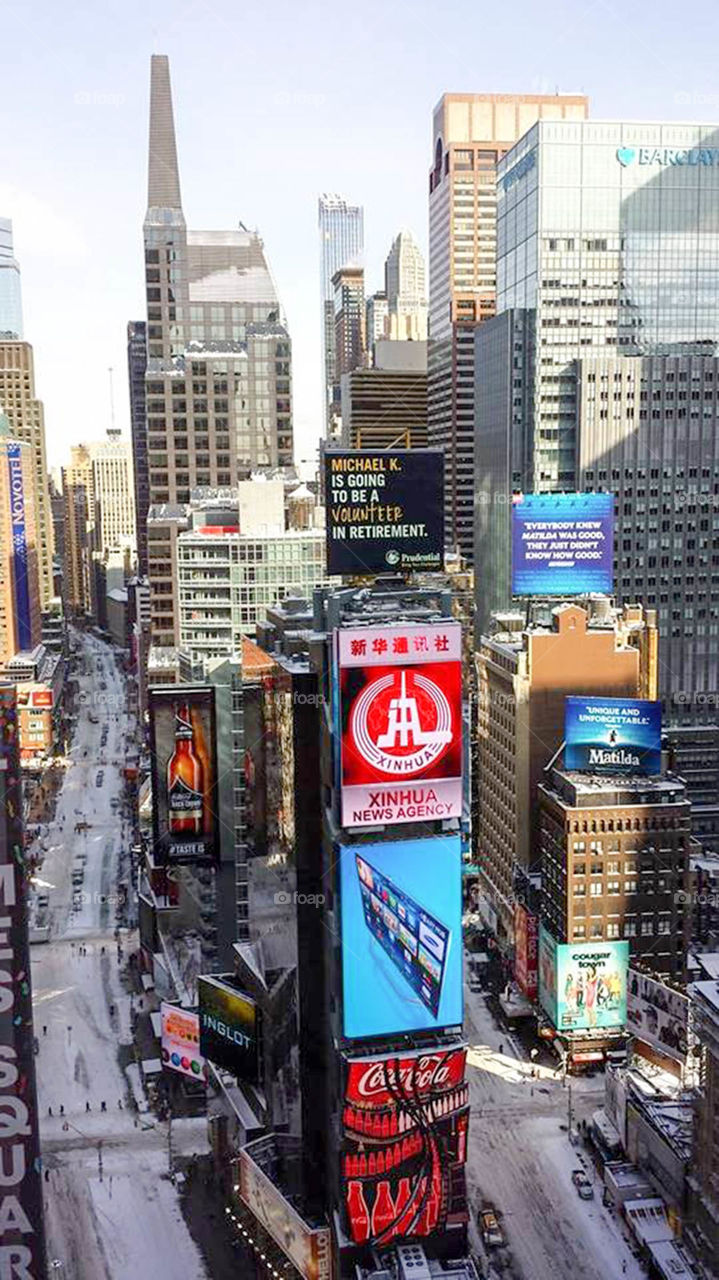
x,y
112,1213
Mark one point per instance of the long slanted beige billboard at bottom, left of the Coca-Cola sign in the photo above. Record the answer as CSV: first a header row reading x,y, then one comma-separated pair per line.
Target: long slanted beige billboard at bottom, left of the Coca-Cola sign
x,y
308,1249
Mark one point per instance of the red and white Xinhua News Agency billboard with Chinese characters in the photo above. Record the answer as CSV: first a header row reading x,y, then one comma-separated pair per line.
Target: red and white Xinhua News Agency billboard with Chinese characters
x,y
401,723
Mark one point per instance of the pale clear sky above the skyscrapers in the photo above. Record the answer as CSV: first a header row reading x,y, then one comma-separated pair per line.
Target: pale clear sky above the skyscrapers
x,y
276,102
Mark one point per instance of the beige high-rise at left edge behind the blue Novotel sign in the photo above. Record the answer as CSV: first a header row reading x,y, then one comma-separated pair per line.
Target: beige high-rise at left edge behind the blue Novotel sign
x,y
28,423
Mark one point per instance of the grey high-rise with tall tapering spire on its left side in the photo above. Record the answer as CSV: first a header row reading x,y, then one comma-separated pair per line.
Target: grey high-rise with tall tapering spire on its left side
x,y
218,381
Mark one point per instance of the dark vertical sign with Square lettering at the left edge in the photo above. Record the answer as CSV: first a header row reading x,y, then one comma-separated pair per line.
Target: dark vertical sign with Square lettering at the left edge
x,y
22,1240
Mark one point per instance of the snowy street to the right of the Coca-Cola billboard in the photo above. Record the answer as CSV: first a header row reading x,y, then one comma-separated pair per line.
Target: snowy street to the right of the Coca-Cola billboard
x,y
521,1160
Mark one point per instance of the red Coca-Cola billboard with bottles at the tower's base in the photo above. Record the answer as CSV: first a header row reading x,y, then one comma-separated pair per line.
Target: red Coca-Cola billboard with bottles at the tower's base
x,y
405,1145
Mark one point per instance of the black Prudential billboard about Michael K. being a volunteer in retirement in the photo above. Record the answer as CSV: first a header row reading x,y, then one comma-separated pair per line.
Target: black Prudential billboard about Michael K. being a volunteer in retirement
x,y
384,510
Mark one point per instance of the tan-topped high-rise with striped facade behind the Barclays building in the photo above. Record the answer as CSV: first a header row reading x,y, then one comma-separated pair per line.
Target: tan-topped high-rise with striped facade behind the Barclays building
x,y
471,132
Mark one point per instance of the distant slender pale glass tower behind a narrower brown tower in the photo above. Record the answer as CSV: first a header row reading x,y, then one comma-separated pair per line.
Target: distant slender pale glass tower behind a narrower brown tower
x,y
342,244
